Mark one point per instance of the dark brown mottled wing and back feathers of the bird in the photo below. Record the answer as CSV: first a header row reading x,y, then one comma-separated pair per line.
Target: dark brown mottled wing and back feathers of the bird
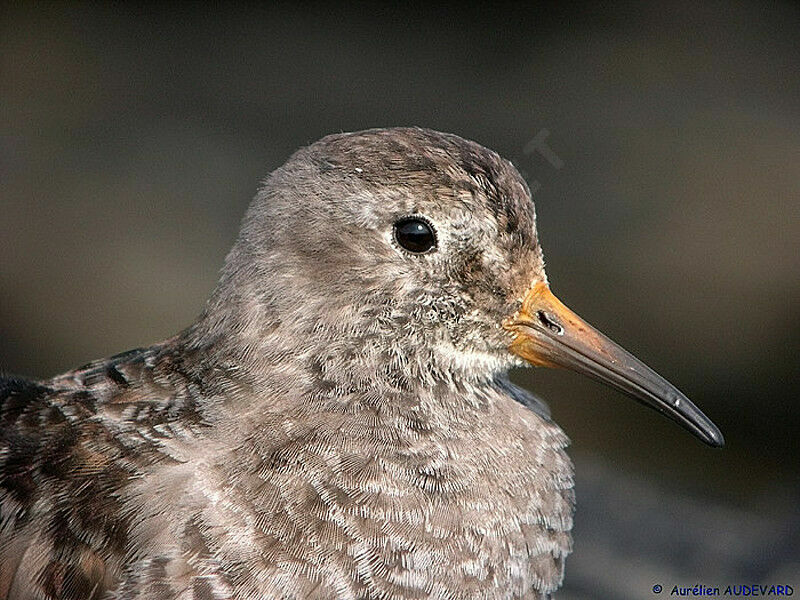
x,y
69,449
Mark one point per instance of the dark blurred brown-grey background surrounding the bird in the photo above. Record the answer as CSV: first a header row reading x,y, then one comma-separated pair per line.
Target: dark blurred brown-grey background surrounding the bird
x,y
132,139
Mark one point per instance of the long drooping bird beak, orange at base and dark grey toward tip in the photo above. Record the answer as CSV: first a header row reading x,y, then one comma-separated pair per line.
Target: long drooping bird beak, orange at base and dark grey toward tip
x,y
549,334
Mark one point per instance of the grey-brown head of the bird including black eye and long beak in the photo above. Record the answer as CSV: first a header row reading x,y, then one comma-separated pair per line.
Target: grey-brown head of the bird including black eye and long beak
x,y
408,250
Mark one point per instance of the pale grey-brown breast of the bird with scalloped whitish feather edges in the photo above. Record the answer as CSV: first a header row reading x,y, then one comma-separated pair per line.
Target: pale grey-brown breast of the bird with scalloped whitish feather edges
x,y
370,503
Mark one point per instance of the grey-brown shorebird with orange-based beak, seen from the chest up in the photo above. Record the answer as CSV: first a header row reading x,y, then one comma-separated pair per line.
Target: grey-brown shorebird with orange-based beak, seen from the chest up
x,y
338,423
